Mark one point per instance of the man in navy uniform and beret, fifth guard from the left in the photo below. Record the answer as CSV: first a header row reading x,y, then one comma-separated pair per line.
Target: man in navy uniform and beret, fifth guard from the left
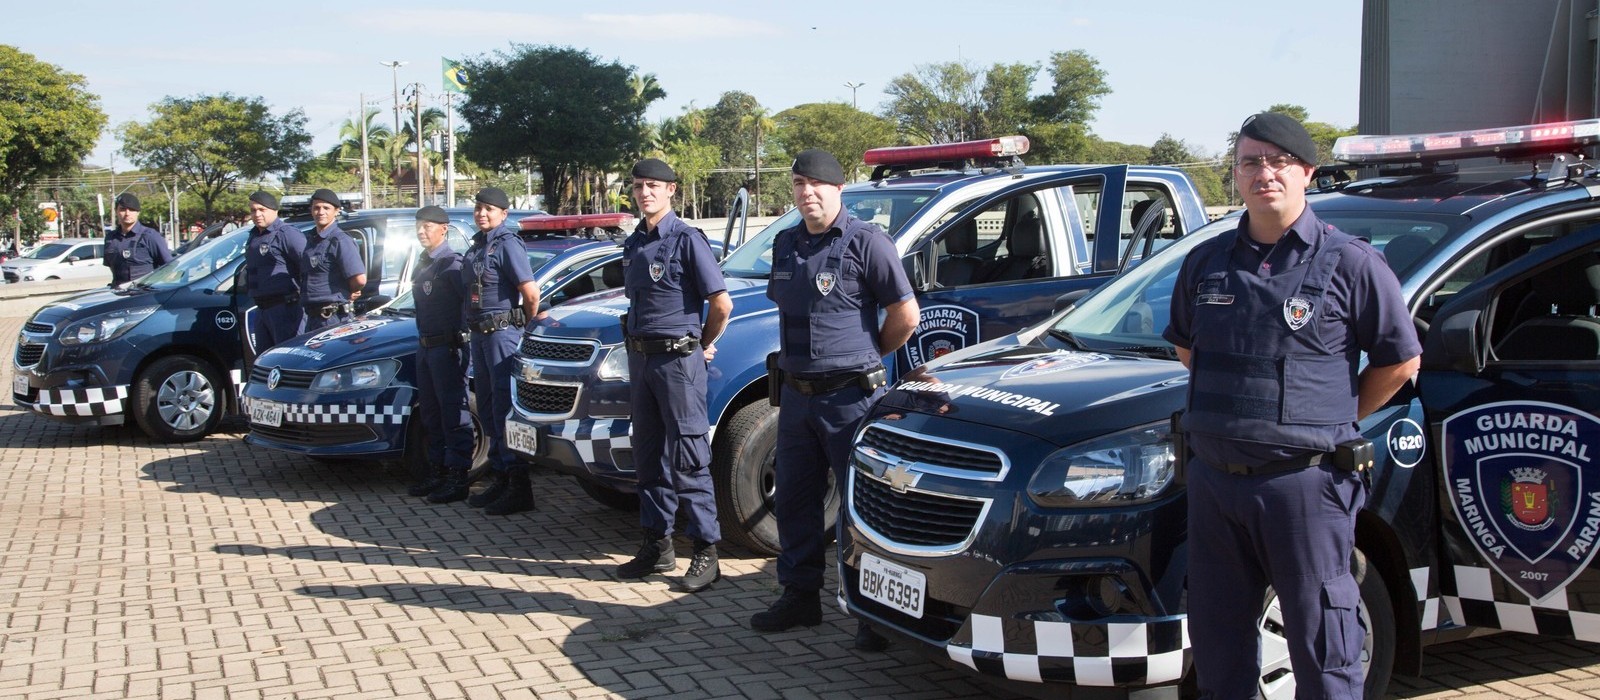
x,y
502,298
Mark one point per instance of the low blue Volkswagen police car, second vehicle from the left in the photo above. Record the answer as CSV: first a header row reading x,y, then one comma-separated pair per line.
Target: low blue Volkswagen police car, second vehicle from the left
x,y
351,391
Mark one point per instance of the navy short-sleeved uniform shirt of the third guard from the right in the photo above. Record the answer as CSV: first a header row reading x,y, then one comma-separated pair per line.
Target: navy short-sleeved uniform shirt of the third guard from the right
x,y
670,272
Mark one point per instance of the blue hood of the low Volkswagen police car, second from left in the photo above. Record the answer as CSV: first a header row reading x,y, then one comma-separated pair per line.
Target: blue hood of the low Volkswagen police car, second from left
x,y
364,340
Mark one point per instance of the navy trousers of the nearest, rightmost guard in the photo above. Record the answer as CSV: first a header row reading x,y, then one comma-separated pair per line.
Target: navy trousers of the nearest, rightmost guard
x,y
1295,533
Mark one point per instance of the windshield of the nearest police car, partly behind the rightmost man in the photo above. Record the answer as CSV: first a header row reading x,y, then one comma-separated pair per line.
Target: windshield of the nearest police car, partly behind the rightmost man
x,y
1134,311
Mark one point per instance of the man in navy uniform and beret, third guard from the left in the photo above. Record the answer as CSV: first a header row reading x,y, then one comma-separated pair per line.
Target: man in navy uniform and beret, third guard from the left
x,y
332,269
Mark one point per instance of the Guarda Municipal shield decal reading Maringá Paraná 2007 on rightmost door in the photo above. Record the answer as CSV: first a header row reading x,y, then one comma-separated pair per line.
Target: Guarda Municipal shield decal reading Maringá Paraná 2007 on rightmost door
x,y
1526,490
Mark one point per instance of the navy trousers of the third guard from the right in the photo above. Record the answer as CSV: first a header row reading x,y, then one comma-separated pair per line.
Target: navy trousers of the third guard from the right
x,y
671,443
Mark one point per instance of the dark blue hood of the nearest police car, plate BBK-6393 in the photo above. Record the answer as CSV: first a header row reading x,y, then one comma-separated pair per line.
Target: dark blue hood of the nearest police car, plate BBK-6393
x,y
1058,396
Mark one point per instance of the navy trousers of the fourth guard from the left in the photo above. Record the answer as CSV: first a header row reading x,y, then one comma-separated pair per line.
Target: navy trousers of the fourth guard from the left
x,y
442,389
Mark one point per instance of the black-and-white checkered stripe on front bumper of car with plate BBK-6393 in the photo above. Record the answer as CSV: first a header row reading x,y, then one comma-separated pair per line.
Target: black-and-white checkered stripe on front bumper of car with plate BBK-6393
x,y
1086,654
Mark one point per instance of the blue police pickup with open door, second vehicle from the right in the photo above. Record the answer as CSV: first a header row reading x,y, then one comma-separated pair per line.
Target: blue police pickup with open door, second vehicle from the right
x,y
988,242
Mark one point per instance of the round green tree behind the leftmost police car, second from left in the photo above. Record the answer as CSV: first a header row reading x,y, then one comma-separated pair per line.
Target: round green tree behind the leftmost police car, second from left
x,y
212,143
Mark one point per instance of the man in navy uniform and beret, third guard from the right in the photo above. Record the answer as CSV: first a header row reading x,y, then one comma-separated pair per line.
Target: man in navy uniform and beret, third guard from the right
x,y
670,272
